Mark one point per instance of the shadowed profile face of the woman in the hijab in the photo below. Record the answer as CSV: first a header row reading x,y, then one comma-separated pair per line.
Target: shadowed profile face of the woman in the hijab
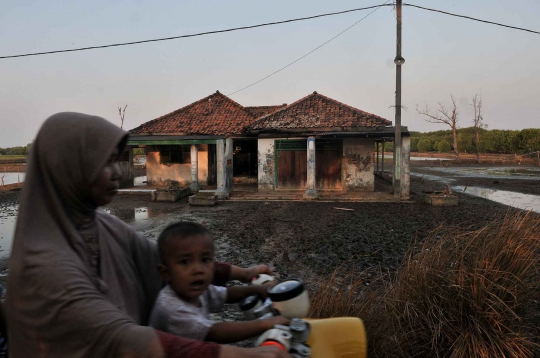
x,y
108,181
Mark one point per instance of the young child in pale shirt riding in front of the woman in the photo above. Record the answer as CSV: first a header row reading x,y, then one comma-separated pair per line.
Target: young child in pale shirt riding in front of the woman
x,y
183,306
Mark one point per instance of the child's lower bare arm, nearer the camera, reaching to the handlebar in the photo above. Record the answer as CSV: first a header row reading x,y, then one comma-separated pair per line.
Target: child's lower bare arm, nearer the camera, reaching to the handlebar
x,y
230,332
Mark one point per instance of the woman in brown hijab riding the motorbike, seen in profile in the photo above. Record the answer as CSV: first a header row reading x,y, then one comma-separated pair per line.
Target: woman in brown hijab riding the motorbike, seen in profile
x,y
82,282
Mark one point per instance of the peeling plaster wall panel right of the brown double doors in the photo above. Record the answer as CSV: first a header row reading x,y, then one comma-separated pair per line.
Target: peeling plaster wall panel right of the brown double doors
x,y
358,164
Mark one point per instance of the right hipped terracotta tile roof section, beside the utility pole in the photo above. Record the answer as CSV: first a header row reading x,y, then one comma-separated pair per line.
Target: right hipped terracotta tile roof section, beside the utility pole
x,y
318,111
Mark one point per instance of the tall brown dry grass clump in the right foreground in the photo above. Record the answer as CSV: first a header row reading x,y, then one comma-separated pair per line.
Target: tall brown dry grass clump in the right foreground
x,y
461,294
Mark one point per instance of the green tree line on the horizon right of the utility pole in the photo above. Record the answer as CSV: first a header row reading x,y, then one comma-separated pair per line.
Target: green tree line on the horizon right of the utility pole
x,y
491,141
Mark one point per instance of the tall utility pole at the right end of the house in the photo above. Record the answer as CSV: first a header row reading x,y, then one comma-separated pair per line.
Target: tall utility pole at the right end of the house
x,y
399,60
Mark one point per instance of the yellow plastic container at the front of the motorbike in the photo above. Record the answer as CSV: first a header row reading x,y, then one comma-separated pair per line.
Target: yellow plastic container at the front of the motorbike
x,y
337,337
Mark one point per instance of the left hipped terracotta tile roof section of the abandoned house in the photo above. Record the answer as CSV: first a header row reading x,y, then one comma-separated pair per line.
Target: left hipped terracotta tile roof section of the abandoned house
x,y
216,114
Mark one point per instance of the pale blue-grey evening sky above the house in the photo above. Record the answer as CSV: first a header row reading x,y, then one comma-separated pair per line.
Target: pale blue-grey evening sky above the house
x,y
444,55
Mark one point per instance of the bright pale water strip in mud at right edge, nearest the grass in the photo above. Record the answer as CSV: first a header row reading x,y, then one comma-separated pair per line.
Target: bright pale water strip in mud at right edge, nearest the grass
x,y
510,198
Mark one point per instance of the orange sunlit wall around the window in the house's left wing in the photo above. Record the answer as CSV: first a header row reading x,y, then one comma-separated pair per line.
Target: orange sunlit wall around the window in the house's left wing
x,y
161,174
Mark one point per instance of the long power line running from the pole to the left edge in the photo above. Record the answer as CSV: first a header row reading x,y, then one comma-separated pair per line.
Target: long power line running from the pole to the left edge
x,y
192,35
